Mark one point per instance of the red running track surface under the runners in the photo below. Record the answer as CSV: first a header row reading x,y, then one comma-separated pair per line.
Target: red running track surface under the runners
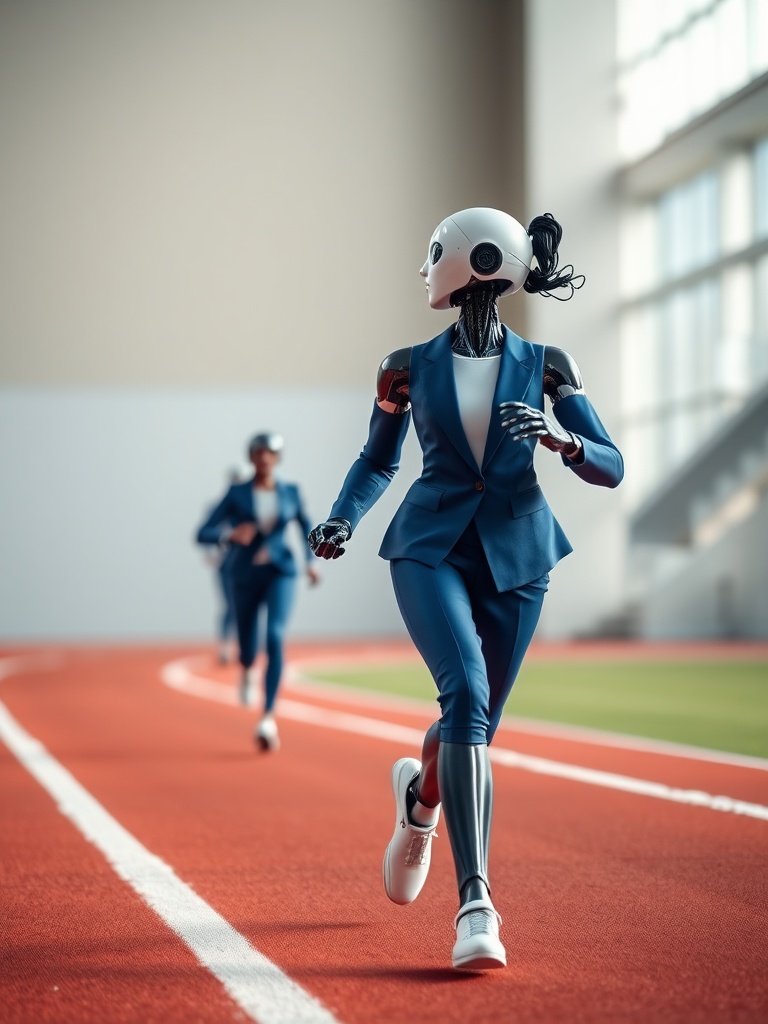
x,y
617,907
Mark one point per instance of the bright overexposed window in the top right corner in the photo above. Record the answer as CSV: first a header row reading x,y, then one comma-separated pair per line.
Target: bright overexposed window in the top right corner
x,y
678,59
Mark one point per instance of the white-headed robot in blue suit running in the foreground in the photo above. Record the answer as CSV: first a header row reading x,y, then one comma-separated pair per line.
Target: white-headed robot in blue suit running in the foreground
x,y
472,546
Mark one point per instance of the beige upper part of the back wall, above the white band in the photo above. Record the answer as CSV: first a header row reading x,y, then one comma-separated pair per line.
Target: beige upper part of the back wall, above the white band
x,y
236,194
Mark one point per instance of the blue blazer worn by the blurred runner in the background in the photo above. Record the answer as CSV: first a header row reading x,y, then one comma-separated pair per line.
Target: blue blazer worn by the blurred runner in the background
x,y
237,507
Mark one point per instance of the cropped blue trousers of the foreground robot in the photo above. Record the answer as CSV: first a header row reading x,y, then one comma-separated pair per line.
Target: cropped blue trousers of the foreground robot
x,y
473,638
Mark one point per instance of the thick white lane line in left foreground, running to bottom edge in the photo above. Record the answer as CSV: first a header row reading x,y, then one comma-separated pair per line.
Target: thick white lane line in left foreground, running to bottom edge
x,y
258,986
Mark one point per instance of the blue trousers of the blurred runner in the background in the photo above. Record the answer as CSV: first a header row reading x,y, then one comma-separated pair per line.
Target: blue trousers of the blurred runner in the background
x,y
264,586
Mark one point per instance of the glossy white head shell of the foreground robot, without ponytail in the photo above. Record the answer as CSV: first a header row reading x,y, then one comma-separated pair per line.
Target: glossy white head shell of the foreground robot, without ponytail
x,y
480,244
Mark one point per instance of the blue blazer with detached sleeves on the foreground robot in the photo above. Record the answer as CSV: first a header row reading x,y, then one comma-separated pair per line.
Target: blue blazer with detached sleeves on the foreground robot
x,y
521,536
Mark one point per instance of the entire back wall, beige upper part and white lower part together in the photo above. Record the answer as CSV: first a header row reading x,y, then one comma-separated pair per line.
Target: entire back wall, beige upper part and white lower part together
x,y
214,217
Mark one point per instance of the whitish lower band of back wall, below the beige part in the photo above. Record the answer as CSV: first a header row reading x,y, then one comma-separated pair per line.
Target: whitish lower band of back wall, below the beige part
x,y
104,491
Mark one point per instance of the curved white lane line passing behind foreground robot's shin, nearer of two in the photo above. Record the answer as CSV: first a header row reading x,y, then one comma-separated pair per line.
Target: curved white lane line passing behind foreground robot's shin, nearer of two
x,y
178,675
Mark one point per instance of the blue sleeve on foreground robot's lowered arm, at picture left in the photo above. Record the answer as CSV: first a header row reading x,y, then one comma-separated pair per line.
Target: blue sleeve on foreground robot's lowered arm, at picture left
x,y
370,477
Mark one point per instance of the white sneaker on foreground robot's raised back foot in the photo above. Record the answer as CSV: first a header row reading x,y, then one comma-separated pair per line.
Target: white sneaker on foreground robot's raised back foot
x,y
407,859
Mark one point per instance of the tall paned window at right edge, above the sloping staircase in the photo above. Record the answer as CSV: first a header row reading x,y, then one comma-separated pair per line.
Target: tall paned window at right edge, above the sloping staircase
x,y
695,325
